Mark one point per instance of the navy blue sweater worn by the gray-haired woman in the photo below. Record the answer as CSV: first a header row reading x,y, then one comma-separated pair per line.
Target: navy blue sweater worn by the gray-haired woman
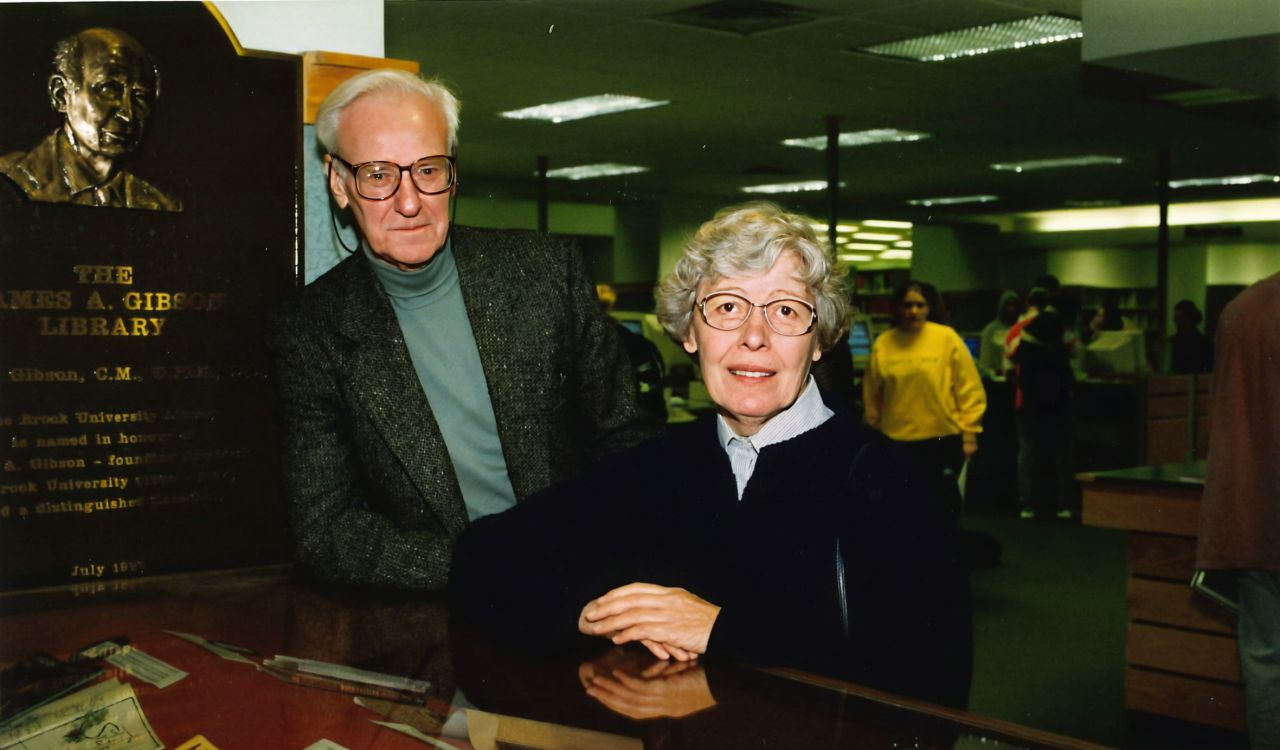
x,y
668,513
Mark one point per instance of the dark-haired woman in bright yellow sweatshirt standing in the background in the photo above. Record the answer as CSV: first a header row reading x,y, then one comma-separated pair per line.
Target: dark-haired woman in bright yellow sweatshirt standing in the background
x,y
922,390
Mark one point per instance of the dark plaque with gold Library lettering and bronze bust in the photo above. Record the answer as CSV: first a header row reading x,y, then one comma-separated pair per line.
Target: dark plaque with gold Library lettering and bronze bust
x,y
149,219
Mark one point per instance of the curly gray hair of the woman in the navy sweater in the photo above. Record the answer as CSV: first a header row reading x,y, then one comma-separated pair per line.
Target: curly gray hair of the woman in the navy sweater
x,y
748,240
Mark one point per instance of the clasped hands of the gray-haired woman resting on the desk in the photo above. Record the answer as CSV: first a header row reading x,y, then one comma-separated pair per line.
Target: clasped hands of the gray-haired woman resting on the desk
x,y
673,624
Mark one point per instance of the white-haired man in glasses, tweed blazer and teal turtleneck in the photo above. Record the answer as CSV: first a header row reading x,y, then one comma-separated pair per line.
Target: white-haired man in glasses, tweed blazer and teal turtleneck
x,y
441,373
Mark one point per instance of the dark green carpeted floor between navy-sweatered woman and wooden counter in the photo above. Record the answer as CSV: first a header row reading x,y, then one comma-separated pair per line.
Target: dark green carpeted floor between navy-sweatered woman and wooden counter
x,y
1050,628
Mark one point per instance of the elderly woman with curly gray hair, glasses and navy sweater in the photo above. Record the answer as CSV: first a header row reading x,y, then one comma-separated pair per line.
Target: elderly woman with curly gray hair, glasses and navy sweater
x,y
776,533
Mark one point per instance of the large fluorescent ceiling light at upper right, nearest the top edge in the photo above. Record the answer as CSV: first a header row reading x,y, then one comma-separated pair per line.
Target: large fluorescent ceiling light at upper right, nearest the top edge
x,y
980,40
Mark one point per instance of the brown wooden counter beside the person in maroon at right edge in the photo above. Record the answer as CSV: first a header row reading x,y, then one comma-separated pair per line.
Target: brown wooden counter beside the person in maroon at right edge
x,y
1181,655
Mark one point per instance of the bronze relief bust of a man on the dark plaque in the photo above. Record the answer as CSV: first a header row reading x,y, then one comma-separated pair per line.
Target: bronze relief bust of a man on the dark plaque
x,y
104,84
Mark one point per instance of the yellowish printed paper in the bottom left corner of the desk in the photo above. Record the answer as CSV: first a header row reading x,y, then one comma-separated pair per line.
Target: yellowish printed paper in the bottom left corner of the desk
x,y
104,716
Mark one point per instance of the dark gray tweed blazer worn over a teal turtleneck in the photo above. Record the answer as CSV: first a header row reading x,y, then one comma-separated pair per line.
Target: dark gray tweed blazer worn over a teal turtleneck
x,y
372,491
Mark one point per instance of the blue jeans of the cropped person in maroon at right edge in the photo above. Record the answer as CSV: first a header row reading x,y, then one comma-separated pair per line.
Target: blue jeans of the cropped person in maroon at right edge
x,y
1260,656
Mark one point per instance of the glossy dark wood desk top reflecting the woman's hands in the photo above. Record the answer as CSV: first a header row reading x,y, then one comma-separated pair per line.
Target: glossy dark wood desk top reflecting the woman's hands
x,y
610,698
